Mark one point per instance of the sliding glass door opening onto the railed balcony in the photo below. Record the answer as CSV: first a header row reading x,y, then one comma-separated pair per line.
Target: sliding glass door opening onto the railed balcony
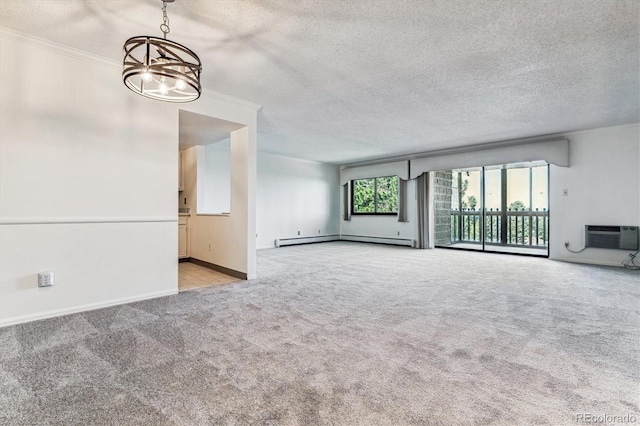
x,y
502,209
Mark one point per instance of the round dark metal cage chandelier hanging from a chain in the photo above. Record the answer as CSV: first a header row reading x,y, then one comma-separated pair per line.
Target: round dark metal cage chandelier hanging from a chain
x,y
161,69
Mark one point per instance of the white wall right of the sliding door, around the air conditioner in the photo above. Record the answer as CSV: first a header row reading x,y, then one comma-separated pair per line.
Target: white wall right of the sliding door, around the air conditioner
x,y
602,183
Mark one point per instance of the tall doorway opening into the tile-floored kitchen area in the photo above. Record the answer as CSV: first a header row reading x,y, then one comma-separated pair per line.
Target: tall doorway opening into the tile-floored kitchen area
x,y
204,200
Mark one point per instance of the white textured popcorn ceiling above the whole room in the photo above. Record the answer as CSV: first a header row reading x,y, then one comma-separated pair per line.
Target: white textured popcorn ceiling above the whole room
x,y
343,81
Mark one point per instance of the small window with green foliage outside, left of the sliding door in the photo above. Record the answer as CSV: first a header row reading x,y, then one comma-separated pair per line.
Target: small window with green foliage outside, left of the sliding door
x,y
375,195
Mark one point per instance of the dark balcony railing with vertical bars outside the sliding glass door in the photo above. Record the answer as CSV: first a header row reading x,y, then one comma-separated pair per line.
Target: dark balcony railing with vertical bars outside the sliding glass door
x,y
521,227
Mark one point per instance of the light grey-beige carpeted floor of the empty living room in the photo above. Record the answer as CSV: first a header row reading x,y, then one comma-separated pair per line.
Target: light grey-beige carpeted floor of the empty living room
x,y
341,334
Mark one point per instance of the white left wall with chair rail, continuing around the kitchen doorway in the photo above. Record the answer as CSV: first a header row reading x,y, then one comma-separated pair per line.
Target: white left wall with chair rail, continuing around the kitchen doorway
x,y
88,182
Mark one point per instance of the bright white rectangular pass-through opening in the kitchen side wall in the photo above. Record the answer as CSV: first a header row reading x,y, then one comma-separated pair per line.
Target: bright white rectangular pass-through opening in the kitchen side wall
x,y
216,178
